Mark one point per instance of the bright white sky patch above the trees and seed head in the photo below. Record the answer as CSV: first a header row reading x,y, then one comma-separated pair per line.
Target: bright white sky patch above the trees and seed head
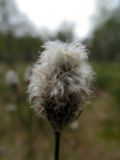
x,y
51,13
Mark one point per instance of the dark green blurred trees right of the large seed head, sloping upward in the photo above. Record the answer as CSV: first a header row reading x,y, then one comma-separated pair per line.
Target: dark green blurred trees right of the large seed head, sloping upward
x,y
104,42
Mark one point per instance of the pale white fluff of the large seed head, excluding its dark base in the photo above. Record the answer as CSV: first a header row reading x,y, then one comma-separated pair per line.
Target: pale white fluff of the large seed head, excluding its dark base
x,y
61,70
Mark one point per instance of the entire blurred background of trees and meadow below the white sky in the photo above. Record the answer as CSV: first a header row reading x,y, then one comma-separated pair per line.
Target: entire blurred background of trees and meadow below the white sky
x,y
96,134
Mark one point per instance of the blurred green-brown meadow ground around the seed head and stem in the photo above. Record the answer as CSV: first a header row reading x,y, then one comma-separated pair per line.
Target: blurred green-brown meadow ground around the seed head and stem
x,y
23,133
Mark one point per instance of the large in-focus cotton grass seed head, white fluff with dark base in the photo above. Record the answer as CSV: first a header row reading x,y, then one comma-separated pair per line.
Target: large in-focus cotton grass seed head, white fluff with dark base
x,y
60,83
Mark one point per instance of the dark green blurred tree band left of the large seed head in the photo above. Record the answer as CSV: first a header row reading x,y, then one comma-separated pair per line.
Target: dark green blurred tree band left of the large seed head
x,y
19,48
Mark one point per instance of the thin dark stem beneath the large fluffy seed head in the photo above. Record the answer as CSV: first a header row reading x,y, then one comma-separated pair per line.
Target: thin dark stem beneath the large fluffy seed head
x,y
57,144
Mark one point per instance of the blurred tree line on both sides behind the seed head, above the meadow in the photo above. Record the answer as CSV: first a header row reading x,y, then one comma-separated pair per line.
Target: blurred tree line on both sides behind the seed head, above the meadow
x,y
103,43
